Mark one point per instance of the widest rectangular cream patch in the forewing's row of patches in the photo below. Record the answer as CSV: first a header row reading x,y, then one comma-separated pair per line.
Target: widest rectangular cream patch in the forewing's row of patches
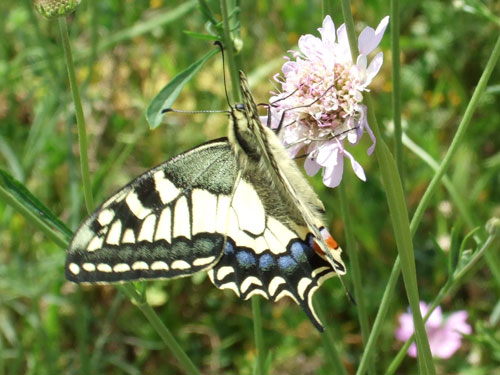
x,y
204,211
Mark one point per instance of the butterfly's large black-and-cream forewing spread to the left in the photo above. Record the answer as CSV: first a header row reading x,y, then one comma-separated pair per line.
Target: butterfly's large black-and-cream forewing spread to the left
x,y
164,224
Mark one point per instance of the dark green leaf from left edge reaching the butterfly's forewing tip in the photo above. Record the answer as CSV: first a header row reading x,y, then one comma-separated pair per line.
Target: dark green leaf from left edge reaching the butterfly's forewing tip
x,y
31,204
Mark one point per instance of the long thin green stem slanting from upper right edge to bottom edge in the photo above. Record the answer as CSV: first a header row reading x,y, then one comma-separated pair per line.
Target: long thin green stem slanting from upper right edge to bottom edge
x,y
386,300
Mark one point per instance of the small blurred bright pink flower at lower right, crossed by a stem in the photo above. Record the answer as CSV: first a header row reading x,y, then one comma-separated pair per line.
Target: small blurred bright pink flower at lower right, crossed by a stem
x,y
445,334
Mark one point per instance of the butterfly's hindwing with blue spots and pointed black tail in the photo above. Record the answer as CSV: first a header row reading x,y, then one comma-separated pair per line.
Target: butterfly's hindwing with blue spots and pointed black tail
x,y
276,261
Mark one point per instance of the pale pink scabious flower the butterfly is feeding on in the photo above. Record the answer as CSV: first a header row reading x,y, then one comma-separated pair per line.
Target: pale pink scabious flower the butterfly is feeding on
x,y
321,97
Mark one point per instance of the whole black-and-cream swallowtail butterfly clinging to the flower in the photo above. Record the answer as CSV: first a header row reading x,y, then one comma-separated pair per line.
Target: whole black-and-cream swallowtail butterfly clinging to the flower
x,y
237,207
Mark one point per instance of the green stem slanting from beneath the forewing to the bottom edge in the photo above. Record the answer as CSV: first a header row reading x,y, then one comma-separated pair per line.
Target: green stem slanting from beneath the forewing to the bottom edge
x,y
160,328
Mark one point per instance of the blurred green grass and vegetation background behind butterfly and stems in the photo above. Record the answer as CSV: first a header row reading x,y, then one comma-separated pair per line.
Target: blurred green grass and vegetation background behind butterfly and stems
x,y
125,52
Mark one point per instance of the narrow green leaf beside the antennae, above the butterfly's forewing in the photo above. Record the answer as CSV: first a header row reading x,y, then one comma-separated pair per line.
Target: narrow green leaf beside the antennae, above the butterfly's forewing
x,y
167,96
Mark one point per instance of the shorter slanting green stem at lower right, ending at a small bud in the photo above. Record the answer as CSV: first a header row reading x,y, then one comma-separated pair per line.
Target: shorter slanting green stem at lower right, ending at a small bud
x,y
444,292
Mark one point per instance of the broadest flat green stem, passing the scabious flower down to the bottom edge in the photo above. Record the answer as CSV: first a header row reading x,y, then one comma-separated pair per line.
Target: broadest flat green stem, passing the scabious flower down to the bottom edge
x,y
399,214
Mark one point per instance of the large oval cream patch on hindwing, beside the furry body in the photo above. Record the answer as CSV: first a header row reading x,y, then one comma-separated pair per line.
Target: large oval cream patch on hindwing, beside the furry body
x,y
249,208
